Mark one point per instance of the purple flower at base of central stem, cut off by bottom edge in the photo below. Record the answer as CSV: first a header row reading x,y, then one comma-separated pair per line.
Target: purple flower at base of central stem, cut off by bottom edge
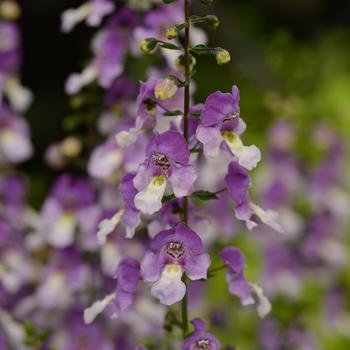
x,y
200,339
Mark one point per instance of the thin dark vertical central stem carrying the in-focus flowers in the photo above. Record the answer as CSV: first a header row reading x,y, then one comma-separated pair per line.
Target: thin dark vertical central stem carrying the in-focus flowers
x,y
184,308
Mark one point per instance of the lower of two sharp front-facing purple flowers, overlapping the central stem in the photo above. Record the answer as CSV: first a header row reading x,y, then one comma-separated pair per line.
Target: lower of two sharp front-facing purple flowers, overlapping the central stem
x,y
172,253
